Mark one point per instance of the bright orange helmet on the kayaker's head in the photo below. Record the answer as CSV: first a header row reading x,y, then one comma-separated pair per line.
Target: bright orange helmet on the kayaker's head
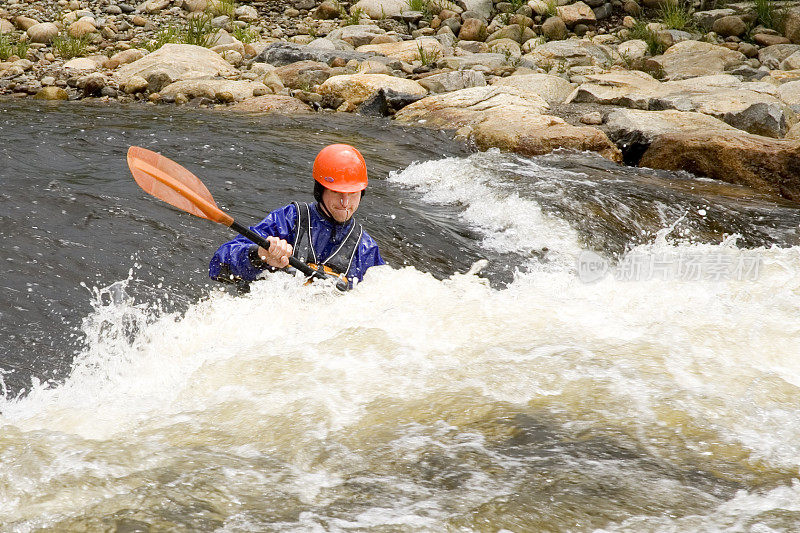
x,y
340,168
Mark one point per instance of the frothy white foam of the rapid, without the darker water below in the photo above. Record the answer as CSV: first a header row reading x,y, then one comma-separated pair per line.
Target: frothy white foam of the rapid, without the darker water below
x,y
293,372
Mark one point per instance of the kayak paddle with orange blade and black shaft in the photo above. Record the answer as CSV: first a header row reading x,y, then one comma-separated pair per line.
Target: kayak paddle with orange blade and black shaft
x,y
168,181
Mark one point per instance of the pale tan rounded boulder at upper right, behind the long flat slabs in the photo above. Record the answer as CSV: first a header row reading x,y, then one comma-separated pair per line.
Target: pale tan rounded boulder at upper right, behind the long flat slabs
x,y
689,59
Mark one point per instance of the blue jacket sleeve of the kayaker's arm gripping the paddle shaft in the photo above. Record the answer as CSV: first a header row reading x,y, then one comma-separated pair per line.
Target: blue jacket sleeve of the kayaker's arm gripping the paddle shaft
x,y
232,261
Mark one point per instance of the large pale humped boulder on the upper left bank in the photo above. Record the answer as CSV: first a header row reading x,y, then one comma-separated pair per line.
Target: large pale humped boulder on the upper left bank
x,y
179,61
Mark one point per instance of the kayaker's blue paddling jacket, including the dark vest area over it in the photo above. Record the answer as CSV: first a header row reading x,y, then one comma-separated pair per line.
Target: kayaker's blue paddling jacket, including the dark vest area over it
x,y
346,248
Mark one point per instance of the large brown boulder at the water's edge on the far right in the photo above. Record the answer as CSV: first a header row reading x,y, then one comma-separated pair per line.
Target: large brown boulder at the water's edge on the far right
x,y
768,165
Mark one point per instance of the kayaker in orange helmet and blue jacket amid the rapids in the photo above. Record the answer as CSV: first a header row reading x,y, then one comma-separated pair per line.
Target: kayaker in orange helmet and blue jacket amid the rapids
x,y
322,233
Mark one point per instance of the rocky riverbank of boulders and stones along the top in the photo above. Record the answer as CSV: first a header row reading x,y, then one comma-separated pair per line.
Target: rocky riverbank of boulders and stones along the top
x,y
705,86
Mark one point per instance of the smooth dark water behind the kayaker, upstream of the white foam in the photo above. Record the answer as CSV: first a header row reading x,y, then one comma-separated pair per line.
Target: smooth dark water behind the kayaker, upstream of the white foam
x,y
73,216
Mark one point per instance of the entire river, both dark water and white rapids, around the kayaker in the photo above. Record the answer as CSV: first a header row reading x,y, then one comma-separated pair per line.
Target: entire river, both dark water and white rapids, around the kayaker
x,y
623,356
